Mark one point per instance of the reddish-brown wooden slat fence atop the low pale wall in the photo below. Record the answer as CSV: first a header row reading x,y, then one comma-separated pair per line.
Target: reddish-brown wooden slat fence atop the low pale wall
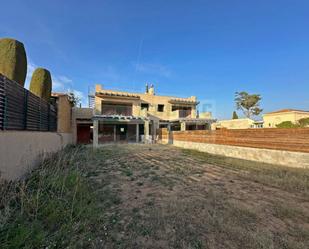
x,y
296,139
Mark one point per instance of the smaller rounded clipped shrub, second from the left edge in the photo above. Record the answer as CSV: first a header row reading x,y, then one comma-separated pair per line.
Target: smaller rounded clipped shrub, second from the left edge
x,y
41,83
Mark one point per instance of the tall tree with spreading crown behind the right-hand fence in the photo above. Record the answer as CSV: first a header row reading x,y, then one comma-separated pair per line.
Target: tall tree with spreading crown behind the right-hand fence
x,y
249,104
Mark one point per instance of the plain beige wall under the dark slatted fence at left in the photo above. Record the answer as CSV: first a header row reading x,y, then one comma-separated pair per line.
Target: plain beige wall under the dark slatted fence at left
x,y
22,150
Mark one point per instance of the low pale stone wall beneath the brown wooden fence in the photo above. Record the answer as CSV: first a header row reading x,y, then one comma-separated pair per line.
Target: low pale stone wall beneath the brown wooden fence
x,y
279,157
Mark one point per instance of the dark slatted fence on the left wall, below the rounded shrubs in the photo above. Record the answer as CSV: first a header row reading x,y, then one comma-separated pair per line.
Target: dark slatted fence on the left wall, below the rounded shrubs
x,y
22,110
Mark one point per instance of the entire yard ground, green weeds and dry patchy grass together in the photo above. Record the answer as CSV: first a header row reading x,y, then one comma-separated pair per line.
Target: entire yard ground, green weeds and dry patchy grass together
x,y
155,196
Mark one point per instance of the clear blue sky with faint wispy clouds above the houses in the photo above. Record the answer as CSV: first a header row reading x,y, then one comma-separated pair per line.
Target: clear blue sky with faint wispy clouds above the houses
x,y
209,49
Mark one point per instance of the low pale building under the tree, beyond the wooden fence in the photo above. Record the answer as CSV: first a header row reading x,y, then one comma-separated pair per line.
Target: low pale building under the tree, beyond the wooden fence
x,y
241,123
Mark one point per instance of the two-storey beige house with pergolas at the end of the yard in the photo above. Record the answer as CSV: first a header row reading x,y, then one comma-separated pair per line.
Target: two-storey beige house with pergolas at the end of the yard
x,y
119,116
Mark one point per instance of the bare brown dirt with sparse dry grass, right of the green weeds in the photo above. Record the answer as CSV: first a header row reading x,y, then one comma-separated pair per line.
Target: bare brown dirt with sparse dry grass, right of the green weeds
x,y
173,199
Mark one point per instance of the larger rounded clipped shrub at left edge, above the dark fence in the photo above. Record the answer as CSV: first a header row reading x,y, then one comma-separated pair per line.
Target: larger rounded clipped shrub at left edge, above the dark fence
x,y
13,60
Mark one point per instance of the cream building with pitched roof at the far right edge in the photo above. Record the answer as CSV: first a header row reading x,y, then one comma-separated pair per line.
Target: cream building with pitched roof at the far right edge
x,y
272,119
